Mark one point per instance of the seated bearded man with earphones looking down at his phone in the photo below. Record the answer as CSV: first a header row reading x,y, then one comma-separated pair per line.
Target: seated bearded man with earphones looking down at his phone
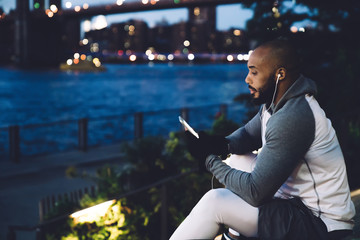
x,y
297,185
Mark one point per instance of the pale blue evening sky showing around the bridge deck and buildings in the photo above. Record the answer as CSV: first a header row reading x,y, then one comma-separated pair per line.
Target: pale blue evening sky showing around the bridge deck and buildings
x,y
228,16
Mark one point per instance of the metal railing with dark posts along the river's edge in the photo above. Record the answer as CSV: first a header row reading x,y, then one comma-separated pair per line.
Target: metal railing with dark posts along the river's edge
x,y
17,142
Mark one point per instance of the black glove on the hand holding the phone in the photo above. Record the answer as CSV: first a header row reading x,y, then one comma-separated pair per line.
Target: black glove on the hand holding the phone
x,y
206,144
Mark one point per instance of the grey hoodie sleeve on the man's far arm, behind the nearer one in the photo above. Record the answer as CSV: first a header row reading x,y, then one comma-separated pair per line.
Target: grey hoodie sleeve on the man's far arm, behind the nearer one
x,y
246,139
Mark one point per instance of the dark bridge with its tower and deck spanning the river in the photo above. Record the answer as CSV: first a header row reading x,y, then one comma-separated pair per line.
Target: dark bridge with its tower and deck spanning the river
x,y
40,31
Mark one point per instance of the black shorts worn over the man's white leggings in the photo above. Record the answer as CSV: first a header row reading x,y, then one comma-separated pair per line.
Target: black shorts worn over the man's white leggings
x,y
289,219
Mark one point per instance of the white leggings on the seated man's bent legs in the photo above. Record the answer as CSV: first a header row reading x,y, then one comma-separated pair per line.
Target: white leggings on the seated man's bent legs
x,y
221,206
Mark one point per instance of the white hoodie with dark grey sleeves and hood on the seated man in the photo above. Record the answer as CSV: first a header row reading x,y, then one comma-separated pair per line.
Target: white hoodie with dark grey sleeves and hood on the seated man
x,y
300,157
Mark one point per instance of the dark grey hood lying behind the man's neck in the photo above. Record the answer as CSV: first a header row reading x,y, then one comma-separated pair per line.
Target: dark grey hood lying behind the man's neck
x,y
301,86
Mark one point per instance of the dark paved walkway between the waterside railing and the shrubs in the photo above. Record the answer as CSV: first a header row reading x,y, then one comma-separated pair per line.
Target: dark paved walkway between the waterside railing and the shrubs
x,y
24,184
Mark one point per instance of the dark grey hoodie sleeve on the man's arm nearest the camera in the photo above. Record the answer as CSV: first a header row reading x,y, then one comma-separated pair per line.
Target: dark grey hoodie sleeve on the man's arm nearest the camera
x,y
288,137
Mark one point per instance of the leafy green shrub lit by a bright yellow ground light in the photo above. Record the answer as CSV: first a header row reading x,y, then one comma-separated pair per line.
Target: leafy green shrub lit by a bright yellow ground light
x,y
138,216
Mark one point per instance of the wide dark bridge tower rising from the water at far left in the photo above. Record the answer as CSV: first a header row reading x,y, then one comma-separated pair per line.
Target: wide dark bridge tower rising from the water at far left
x,y
39,39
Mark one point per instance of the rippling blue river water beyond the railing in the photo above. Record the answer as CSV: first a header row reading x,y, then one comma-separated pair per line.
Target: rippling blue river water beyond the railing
x,y
32,99
